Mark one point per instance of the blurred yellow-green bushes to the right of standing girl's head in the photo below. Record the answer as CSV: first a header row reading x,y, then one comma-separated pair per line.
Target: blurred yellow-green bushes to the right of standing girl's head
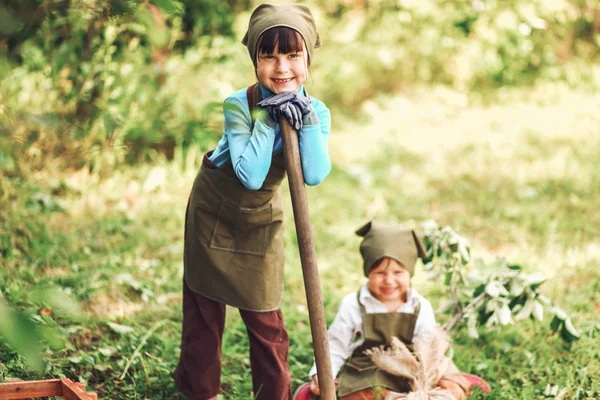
x,y
385,46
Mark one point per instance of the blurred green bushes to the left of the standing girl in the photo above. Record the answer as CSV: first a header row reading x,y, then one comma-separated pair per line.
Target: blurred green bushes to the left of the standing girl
x,y
101,83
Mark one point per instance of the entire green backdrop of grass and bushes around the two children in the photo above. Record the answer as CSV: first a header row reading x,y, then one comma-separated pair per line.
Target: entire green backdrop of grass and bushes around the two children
x,y
480,114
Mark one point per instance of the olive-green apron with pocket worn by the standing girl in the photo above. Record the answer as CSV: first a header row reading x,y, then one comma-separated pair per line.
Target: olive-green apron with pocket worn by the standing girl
x,y
233,249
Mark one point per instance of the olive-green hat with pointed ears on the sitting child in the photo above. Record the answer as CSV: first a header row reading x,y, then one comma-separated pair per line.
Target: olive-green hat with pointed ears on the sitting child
x,y
385,240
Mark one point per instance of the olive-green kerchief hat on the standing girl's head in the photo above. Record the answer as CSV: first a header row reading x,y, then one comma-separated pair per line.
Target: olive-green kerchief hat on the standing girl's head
x,y
295,16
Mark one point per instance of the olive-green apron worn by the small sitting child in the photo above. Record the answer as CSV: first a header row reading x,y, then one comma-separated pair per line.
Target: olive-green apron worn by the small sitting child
x,y
360,372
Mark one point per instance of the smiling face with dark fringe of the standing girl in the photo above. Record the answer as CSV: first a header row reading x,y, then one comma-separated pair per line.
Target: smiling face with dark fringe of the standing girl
x,y
282,63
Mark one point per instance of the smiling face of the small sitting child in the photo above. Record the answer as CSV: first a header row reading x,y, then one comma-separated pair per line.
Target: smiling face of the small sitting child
x,y
389,281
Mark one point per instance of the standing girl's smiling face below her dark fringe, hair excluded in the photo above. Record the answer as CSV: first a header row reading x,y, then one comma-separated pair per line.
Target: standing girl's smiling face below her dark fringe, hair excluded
x,y
282,72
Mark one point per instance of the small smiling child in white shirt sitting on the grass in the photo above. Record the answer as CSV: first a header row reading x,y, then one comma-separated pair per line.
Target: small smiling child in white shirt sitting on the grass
x,y
384,307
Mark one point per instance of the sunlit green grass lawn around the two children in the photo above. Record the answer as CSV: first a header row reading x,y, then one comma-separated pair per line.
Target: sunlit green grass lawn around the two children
x,y
518,178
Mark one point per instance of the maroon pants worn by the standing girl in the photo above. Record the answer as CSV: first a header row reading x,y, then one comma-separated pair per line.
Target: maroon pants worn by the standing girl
x,y
198,374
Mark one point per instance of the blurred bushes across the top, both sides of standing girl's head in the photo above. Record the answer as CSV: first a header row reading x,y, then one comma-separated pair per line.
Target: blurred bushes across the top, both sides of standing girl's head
x,y
98,83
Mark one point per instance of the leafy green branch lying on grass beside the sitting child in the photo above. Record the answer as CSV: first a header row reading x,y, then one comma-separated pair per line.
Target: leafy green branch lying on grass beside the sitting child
x,y
487,294
